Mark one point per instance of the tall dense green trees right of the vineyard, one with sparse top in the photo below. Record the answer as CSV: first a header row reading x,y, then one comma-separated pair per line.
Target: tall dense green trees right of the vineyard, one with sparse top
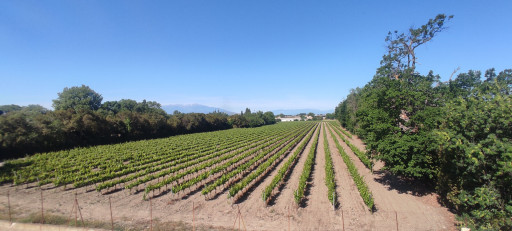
x,y
457,134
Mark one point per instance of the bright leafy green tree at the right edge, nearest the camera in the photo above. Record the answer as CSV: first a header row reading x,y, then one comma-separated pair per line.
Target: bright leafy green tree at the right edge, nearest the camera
x,y
475,149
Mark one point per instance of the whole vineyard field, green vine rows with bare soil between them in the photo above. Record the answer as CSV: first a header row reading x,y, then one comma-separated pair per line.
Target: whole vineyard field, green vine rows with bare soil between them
x,y
281,164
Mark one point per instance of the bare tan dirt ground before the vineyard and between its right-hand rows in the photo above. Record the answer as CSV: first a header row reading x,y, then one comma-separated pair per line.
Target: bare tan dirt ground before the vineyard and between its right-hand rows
x,y
400,205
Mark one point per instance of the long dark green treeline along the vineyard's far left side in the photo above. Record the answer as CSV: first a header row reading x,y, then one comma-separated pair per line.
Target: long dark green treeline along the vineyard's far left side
x,y
81,119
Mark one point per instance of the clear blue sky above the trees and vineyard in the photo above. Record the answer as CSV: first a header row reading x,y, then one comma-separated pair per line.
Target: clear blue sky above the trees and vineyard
x,y
264,55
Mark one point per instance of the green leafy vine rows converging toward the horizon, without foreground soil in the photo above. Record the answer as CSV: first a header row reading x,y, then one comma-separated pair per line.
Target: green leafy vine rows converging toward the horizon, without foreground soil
x,y
215,162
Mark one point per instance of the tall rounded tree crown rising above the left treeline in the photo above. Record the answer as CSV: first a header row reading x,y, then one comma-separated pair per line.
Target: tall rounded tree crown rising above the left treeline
x,y
78,98
